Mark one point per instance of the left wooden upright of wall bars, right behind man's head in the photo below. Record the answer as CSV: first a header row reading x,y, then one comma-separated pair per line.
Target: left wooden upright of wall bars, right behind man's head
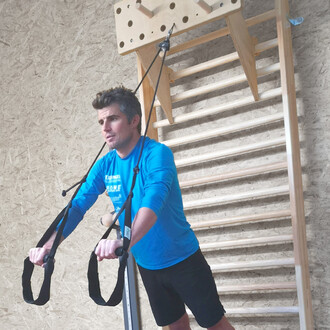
x,y
146,96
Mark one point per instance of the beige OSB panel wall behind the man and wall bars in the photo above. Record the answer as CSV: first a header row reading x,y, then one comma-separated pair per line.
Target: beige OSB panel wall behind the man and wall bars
x,y
55,55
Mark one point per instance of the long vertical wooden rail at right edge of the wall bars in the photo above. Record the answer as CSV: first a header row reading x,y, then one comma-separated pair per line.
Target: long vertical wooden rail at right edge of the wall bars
x,y
294,166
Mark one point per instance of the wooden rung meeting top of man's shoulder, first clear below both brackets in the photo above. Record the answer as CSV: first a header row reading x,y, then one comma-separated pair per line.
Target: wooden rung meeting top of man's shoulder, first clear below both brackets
x,y
239,127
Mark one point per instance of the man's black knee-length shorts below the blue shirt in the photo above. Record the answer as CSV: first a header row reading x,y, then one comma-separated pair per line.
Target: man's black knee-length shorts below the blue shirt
x,y
189,282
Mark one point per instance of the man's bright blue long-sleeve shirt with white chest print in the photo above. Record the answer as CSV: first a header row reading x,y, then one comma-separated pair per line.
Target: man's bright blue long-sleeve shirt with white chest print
x,y
170,240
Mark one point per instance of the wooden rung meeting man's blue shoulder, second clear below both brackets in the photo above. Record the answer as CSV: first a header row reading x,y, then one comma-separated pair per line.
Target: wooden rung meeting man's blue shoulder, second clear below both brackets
x,y
241,150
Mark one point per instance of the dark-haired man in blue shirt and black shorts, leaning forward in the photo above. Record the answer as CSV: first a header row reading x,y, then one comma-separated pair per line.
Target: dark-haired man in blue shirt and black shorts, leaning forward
x,y
165,248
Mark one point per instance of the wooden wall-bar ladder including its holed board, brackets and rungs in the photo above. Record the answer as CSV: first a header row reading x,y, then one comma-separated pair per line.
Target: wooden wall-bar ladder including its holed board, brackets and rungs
x,y
269,192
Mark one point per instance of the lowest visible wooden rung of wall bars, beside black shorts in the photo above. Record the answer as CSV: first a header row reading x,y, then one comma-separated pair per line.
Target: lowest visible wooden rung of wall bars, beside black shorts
x,y
252,311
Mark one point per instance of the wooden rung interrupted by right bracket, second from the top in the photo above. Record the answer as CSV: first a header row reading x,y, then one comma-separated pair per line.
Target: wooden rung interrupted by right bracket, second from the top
x,y
174,75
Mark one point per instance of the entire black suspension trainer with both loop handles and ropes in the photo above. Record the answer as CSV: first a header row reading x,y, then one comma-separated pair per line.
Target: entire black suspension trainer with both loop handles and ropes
x,y
93,278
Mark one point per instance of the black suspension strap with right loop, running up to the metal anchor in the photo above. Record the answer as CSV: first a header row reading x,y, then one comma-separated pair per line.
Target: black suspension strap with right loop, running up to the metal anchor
x,y
92,274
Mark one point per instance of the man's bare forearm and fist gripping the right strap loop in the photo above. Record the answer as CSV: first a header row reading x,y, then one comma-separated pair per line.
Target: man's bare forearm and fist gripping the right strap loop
x,y
144,220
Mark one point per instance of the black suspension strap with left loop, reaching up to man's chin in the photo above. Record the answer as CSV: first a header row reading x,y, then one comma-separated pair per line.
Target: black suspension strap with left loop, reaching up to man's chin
x,y
44,293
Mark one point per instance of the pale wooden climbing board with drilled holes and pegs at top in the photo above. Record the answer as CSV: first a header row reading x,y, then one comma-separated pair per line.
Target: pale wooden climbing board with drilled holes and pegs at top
x,y
141,23
